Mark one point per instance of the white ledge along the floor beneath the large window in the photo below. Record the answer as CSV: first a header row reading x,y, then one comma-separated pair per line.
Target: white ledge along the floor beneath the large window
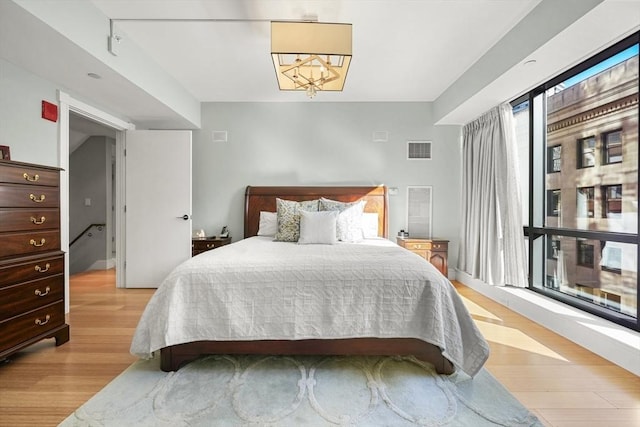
x,y
613,342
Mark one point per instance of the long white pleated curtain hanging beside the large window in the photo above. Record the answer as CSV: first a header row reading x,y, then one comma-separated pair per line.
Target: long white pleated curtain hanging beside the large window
x,y
492,240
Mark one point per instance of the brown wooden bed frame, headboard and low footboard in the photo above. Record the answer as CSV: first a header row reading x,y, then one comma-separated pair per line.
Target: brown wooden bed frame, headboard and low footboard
x,y
264,199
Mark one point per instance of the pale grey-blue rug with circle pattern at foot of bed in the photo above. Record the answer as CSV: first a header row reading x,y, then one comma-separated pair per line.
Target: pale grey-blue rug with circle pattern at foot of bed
x,y
300,391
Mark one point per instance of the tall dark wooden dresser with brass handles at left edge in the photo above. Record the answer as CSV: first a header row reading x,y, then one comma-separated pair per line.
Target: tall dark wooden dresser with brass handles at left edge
x,y
31,263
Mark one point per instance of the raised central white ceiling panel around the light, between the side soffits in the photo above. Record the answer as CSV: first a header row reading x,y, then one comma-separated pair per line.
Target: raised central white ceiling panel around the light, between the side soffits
x,y
402,50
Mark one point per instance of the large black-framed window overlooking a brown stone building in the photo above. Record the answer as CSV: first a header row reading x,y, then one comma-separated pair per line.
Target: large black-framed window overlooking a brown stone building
x,y
578,138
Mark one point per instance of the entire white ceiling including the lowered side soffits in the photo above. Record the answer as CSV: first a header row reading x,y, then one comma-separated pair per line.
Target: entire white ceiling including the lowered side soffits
x,y
464,55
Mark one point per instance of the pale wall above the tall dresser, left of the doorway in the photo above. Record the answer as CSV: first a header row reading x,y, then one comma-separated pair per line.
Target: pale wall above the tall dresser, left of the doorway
x,y
30,137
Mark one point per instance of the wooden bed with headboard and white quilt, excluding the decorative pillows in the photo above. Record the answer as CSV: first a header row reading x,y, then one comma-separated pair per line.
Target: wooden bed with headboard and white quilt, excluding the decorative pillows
x,y
260,296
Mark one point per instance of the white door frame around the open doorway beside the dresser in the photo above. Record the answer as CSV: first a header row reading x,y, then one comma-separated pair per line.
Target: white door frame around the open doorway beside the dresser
x,y
67,104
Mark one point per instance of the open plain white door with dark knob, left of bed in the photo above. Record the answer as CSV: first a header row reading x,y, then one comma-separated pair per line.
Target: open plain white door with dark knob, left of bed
x,y
157,205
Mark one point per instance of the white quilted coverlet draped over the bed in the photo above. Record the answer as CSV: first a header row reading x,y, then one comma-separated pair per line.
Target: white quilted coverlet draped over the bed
x,y
259,289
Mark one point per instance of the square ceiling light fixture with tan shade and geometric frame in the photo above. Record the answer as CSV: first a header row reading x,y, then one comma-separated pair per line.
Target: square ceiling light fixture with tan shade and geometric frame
x,y
311,56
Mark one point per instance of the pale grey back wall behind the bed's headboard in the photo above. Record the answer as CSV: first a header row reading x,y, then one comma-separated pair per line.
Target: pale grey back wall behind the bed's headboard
x,y
311,143
